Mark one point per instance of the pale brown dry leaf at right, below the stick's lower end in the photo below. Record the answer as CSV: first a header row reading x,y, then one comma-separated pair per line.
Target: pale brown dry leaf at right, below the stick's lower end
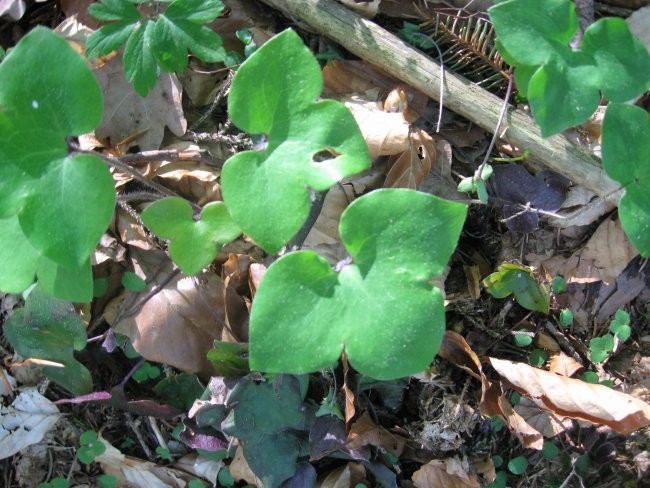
x,y
604,257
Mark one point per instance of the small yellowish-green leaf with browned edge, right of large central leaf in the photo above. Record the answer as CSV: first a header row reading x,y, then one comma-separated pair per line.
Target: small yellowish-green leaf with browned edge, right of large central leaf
x,y
515,278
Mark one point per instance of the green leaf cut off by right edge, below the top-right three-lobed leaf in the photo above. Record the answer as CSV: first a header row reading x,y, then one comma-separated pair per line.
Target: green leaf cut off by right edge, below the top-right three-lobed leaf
x,y
625,149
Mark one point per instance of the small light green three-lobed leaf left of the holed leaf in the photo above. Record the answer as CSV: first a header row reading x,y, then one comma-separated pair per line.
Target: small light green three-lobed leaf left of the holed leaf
x,y
193,243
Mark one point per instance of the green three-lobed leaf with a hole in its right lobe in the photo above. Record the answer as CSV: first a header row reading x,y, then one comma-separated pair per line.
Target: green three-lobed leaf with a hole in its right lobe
x,y
273,93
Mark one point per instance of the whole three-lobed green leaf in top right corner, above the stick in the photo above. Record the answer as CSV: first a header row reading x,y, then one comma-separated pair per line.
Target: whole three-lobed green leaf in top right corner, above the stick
x,y
563,85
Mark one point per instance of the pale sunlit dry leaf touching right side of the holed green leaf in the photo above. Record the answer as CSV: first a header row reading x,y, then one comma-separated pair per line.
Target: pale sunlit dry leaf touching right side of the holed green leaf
x,y
385,133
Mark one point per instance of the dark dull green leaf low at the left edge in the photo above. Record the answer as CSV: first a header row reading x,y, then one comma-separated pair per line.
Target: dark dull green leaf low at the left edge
x,y
50,329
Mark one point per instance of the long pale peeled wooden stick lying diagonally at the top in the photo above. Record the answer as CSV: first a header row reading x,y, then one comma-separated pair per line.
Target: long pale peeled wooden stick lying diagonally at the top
x,y
378,46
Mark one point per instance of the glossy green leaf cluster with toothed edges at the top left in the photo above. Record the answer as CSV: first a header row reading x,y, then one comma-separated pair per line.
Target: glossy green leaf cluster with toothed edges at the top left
x,y
155,44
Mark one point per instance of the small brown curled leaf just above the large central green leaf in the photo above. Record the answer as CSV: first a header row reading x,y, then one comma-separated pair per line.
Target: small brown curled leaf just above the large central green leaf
x,y
409,169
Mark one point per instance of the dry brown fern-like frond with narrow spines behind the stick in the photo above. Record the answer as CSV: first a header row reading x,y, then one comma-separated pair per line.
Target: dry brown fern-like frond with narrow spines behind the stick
x,y
467,47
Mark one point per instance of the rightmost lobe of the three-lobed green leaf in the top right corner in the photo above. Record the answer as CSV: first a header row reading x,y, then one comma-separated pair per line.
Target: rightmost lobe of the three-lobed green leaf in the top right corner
x,y
622,60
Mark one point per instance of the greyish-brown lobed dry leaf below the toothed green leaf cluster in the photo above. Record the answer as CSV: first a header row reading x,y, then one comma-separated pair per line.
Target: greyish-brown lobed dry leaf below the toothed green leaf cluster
x,y
127,113
